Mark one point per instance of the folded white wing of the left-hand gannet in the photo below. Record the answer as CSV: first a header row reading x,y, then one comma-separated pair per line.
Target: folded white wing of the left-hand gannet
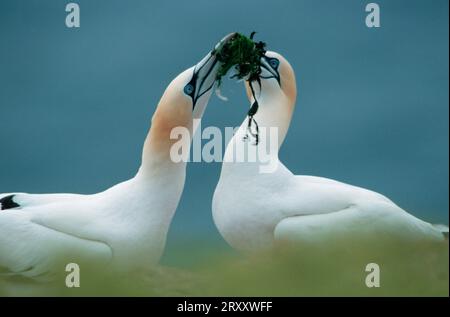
x,y
35,250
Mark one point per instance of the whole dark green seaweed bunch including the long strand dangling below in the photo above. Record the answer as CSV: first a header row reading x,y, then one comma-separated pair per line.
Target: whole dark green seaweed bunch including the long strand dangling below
x,y
245,55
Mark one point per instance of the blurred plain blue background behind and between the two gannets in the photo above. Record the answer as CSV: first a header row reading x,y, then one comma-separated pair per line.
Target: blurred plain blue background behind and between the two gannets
x,y
75,104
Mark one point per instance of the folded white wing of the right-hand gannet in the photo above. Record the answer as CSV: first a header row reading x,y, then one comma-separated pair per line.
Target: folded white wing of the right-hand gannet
x,y
377,223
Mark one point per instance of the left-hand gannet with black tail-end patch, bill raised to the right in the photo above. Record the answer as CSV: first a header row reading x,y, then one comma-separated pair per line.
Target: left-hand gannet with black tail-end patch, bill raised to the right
x,y
123,227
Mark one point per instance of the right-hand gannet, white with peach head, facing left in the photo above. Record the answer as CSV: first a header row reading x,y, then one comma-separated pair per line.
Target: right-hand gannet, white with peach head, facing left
x,y
255,210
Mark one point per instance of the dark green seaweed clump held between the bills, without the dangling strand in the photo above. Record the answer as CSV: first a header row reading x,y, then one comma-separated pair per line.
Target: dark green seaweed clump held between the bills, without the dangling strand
x,y
244,54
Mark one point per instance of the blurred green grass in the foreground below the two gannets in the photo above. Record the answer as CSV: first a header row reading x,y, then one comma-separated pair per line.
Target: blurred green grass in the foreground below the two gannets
x,y
418,270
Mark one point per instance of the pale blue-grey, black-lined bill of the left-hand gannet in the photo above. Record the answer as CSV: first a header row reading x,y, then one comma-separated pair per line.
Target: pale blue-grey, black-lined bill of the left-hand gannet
x,y
204,76
